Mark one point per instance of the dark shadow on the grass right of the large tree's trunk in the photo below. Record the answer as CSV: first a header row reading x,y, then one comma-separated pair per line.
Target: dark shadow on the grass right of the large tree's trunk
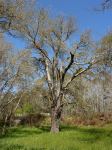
x,y
89,135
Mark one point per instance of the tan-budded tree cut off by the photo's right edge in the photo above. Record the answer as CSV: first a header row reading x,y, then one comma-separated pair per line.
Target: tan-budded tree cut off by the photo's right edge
x,y
105,66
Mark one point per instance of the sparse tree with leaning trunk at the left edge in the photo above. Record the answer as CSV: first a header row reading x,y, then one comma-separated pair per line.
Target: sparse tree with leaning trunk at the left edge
x,y
16,74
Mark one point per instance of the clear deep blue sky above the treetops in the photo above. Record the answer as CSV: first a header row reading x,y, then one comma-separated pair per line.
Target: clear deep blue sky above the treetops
x,y
83,11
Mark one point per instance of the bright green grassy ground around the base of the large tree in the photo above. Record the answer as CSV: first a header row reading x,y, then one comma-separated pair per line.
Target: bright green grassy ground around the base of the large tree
x,y
70,138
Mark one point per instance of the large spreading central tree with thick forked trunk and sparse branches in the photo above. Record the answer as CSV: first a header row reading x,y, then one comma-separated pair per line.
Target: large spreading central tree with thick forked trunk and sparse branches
x,y
50,37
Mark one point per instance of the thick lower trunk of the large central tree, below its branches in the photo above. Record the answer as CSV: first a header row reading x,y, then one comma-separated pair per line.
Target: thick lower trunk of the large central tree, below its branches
x,y
55,119
